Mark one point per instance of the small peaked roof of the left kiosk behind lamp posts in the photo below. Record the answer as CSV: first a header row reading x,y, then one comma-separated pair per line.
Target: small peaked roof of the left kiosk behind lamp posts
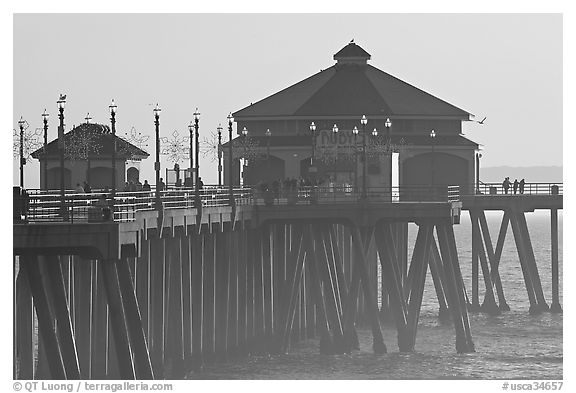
x,y
94,139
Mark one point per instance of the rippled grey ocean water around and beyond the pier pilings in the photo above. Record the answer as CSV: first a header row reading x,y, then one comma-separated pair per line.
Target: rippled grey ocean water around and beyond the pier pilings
x,y
513,345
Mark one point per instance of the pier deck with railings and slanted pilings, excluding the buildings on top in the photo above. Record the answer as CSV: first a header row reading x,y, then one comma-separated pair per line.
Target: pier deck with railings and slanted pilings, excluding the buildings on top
x,y
155,293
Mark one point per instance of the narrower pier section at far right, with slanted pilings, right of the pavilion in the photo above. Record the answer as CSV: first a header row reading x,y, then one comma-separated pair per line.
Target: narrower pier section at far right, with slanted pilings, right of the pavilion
x,y
491,197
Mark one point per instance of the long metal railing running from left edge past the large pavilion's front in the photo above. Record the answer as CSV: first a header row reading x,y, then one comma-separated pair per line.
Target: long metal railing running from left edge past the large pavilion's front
x,y
97,206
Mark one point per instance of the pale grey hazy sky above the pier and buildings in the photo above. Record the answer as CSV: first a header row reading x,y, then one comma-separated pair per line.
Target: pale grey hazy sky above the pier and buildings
x,y
506,67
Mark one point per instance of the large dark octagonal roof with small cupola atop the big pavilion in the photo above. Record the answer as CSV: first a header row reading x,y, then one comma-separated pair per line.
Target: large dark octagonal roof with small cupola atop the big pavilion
x,y
352,87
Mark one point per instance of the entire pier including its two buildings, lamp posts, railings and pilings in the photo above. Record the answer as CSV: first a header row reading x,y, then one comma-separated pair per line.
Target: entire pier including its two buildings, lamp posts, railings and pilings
x,y
305,236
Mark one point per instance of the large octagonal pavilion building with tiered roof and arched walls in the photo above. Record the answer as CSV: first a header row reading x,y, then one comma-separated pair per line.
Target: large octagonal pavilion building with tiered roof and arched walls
x,y
403,154
